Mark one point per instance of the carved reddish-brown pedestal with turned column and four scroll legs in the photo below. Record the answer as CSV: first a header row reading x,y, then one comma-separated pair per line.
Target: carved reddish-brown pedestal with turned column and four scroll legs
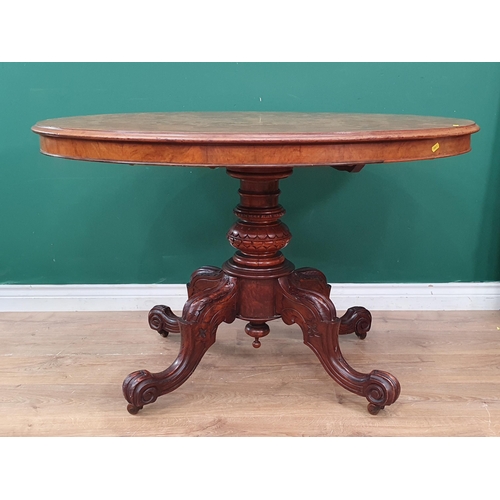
x,y
258,285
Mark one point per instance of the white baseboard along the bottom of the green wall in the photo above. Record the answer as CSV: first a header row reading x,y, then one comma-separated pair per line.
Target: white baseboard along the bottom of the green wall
x,y
375,297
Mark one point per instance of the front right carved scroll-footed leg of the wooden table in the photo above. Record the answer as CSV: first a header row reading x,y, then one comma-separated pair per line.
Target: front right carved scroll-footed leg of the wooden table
x,y
304,303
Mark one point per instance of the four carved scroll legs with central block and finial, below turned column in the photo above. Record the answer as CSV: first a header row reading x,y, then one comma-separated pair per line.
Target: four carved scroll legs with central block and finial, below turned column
x,y
300,297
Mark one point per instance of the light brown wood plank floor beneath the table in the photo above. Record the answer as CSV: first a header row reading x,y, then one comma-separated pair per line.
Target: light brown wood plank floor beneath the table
x,y
61,375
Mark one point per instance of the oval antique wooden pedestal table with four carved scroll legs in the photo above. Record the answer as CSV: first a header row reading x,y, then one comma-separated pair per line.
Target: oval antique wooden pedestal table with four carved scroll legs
x,y
257,284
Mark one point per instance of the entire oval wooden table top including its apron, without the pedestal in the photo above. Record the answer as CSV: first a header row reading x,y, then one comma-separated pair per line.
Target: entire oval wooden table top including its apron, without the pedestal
x,y
254,138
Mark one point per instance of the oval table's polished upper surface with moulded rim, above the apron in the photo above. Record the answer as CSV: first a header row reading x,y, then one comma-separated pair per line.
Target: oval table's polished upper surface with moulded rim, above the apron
x,y
254,127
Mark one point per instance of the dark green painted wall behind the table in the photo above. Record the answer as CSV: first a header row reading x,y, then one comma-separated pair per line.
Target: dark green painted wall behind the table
x,y
63,221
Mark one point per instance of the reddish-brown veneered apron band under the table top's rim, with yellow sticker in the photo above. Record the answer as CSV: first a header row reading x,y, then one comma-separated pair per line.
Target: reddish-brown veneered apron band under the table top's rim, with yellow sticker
x,y
217,155
